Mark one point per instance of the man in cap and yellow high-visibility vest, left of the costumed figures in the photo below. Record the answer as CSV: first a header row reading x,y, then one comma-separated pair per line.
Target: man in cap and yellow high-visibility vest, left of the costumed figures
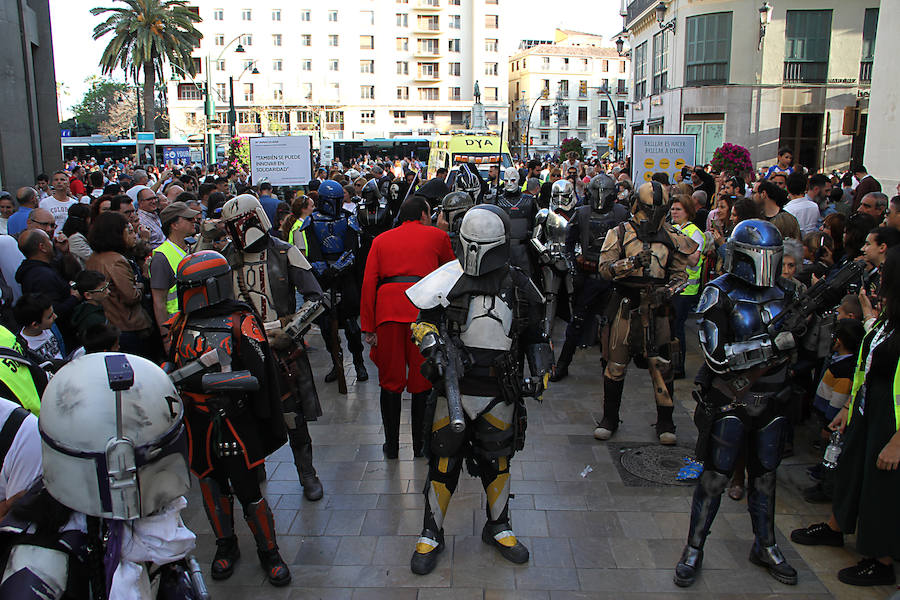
x,y
178,222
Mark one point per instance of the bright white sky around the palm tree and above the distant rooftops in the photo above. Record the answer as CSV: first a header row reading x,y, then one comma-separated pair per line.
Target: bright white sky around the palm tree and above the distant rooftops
x,y
77,55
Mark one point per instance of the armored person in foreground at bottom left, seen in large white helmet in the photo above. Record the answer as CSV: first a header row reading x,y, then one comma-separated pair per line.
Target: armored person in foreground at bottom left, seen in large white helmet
x,y
104,522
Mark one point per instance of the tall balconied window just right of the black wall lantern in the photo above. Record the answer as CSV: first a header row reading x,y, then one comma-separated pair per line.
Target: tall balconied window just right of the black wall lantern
x,y
806,47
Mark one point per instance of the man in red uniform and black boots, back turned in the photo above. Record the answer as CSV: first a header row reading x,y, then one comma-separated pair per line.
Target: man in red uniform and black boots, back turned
x,y
398,258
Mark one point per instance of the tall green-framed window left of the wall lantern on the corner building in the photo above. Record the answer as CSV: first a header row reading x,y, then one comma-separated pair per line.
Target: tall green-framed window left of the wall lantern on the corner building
x,y
708,49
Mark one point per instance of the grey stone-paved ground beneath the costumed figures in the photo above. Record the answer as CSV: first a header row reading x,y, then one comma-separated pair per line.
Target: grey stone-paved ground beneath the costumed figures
x,y
590,536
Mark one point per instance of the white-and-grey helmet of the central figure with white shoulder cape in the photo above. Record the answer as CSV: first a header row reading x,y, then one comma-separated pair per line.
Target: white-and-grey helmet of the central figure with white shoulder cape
x,y
484,237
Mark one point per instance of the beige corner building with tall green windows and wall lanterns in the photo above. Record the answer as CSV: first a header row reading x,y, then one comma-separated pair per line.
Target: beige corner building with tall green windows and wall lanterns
x,y
757,74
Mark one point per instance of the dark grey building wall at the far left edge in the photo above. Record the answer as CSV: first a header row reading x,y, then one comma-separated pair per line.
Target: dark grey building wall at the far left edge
x,y
29,121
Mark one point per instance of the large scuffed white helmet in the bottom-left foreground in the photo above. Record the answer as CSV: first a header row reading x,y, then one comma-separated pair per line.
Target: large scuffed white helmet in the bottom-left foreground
x,y
112,437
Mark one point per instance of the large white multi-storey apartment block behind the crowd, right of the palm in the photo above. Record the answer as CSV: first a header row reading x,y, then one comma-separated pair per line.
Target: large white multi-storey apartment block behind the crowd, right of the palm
x,y
358,69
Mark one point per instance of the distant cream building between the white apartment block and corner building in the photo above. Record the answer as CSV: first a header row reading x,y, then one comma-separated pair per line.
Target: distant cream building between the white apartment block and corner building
x,y
576,70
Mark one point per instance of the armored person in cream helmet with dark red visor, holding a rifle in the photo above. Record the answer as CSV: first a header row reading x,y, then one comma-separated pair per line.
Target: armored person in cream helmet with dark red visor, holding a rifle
x,y
266,273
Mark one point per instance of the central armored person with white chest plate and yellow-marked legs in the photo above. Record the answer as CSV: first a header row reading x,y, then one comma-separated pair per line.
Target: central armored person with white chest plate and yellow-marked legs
x,y
477,321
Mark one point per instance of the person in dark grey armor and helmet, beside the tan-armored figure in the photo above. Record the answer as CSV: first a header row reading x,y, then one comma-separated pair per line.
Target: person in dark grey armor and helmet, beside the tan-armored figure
x,y
585,233
